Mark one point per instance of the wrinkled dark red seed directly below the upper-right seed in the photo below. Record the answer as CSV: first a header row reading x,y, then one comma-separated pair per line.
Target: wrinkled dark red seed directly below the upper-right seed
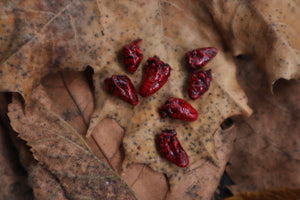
x,y
199,83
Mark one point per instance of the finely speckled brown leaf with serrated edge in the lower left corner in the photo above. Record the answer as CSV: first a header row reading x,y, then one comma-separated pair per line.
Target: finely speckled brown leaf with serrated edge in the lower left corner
x,y
63,151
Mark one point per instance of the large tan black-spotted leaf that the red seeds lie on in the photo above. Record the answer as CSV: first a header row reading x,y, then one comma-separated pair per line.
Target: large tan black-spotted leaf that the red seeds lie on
x,y
74,38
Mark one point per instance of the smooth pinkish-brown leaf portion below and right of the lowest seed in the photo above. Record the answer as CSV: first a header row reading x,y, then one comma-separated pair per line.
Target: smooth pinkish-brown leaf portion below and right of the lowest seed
x,y
203,177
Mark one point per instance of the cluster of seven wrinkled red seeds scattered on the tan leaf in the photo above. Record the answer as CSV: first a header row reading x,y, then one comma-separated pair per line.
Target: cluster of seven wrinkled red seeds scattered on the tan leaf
x,y
155,75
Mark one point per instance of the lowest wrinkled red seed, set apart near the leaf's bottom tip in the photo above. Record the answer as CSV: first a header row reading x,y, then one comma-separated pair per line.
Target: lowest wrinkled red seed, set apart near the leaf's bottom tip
x,y
171,149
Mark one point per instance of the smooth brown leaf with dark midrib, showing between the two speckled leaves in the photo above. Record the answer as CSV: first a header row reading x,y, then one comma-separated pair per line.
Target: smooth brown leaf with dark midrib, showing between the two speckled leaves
x,y
75,103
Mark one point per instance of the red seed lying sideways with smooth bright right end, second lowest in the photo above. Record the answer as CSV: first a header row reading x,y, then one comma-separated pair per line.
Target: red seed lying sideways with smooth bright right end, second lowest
x,y
178,109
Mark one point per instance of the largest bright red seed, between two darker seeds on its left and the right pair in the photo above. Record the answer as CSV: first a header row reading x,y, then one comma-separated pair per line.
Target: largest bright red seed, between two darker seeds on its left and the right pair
x,y
155,76
